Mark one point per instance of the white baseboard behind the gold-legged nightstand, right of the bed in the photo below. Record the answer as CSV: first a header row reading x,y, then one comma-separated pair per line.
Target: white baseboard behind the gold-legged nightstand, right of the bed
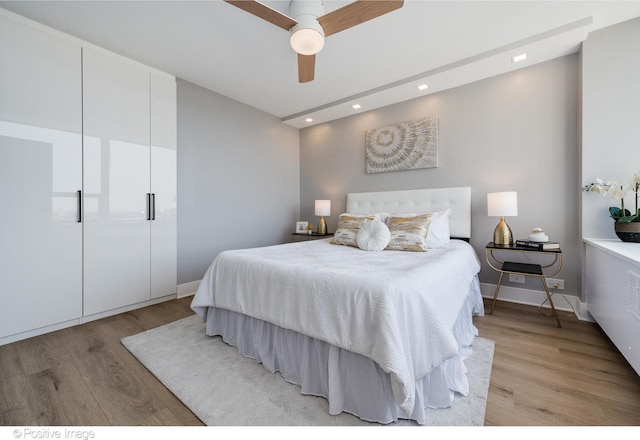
x,y
564,302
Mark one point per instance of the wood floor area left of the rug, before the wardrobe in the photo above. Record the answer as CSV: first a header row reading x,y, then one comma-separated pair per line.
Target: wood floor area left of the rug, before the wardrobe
x,y
84,376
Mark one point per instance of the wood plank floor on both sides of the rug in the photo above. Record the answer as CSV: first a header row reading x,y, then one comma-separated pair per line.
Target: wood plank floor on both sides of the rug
x,y
541,375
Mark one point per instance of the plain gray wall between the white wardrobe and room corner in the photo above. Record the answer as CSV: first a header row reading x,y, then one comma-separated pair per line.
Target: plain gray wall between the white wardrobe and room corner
x,y
238,178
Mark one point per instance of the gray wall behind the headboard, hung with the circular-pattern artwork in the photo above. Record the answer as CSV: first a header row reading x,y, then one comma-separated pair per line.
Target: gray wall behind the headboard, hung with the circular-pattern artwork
x,y
517,132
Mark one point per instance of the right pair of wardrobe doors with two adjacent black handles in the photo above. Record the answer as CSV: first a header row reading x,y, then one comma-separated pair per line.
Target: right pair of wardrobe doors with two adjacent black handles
x,y
130,183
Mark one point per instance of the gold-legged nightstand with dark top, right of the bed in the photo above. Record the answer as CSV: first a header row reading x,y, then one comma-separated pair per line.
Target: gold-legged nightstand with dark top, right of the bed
x,y
552,259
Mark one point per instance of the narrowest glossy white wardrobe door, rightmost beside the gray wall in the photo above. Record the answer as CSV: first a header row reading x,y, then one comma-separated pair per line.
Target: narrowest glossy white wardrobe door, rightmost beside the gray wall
x,y
163,186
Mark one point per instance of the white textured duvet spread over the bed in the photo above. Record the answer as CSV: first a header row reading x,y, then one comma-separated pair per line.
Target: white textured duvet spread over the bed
x,y
397,308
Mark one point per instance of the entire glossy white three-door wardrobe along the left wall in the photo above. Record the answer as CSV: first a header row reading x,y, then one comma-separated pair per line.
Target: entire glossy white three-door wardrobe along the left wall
x,y
87,181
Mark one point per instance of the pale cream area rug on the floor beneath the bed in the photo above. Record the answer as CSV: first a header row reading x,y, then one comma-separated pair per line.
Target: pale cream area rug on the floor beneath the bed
x,y
223,388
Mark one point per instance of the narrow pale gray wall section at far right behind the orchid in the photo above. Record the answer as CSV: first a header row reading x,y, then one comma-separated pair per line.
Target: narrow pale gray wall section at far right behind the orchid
x,y
611,114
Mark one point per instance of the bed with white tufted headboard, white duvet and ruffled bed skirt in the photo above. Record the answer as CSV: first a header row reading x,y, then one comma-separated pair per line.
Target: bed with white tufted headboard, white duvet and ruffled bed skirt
x,y
380,334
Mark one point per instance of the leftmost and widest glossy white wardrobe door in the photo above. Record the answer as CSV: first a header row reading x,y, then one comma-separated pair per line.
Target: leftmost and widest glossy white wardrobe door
x,y
40,175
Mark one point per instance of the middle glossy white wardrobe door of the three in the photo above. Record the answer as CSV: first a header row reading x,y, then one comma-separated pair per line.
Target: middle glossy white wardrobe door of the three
x,y
116,182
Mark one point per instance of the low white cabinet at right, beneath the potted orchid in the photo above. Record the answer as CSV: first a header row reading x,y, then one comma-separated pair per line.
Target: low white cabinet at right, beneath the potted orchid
x,y
613,293
